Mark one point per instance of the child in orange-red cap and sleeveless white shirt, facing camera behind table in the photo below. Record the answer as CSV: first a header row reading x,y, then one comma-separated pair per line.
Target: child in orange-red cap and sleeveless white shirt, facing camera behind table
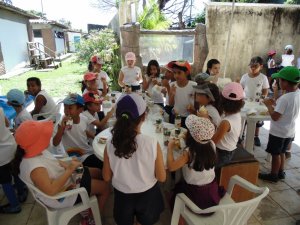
x,y
182,93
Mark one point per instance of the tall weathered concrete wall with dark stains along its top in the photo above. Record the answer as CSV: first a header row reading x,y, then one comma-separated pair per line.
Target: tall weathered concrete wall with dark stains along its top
x,y
256,28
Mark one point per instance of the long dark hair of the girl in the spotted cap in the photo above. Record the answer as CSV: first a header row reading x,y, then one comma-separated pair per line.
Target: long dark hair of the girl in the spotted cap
x,y
202,156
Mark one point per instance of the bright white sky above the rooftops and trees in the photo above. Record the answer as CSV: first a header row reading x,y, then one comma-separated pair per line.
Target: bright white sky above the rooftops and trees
x,y
79,12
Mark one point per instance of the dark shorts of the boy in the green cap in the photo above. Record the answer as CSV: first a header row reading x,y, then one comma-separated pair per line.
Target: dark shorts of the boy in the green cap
x,y
277,145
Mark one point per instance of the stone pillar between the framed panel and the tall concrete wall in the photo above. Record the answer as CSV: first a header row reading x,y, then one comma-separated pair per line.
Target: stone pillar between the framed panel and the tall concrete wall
x,y
200,48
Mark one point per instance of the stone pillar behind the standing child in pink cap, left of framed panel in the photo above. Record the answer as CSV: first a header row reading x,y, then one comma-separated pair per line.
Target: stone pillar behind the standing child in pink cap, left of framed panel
x,y
130,42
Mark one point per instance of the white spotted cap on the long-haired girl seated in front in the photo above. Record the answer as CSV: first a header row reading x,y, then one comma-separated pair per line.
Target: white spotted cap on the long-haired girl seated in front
x,y
201,129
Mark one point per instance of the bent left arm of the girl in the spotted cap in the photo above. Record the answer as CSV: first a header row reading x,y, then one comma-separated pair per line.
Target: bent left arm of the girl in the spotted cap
x,y
179,162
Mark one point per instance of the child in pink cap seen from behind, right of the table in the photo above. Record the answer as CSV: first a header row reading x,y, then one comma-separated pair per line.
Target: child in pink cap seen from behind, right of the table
x,y
229,129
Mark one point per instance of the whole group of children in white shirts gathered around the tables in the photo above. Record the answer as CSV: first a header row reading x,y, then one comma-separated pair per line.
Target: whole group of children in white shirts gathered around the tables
x,y
134,161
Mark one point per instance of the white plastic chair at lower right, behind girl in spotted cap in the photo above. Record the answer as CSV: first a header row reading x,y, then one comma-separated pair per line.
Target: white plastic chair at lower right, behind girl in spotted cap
x,y
226,213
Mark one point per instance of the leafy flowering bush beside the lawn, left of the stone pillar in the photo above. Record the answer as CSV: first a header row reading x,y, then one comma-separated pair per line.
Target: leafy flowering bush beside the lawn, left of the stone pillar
x,y
105,44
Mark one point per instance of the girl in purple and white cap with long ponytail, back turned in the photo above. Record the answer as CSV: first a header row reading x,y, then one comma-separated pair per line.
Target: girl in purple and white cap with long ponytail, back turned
x,y
134,162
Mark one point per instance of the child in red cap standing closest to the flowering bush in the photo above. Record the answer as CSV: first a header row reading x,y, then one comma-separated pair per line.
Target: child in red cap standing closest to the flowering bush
x,y
101,76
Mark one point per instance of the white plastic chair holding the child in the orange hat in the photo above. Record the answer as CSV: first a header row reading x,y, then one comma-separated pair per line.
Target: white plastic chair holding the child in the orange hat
x,y
63,216
